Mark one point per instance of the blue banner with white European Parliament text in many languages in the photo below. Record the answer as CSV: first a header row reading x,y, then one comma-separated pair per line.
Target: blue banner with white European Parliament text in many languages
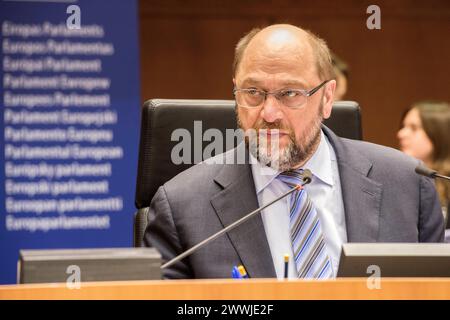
x,y
70,121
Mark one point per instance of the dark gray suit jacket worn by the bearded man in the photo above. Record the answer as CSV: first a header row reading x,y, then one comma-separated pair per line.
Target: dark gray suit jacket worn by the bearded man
x,y
384,201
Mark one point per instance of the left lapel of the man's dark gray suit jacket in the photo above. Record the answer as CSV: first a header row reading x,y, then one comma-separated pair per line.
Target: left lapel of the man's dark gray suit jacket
x,y
238,198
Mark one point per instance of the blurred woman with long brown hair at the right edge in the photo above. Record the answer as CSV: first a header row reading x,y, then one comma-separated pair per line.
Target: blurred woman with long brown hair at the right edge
x,y
425,135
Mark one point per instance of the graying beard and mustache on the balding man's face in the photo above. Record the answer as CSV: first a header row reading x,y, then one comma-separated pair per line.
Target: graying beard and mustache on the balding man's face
x,y
293,154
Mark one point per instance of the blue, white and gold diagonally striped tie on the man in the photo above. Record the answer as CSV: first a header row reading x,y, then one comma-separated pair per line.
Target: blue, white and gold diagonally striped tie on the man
x,y
308,243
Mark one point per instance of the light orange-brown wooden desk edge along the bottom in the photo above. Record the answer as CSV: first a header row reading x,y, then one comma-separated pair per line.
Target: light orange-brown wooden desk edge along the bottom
x,y
270,289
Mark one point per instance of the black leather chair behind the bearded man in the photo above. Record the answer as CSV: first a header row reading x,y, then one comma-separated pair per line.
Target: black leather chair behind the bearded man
x,y
160,117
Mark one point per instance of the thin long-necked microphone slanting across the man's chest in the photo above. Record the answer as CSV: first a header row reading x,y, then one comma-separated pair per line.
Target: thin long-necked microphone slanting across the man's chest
x,y
306,178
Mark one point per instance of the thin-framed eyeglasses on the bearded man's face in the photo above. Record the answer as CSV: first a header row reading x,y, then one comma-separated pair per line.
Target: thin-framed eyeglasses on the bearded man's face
x,y
291,98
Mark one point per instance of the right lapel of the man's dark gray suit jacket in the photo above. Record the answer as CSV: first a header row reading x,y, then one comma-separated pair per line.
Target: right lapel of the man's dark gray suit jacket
x,y
361,195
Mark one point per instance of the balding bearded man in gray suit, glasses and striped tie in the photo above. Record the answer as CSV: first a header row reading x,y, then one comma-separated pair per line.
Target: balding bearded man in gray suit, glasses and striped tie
x,y
360,192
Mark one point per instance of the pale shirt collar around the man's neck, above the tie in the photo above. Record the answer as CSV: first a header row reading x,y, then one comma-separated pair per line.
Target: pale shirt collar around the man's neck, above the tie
x,y
319,164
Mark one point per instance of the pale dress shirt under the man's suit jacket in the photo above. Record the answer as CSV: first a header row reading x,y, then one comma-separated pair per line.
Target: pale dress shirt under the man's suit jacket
x,y
326,195
